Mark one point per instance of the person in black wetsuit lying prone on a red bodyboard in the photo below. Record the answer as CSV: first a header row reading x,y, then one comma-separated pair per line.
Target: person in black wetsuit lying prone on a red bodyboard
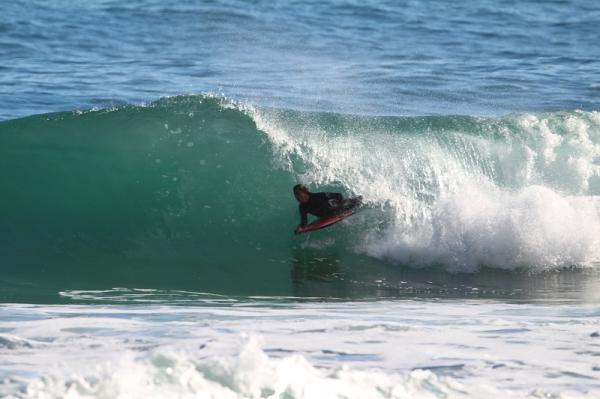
x,y
322,205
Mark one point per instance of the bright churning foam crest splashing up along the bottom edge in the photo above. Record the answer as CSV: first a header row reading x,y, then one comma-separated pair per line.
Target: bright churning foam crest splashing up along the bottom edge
x,y
250,374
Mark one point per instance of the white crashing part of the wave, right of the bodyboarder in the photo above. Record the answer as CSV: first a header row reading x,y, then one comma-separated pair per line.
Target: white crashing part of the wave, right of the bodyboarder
x,y
464,192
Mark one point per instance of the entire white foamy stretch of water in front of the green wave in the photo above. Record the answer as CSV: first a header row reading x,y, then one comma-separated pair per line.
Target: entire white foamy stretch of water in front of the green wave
x,y
220,347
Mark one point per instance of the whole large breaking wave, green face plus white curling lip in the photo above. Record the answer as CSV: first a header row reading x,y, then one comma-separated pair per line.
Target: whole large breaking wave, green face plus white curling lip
x,y
196,190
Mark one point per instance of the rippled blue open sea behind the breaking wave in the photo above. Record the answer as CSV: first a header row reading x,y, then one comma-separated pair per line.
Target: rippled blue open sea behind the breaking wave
x,y
376,57
